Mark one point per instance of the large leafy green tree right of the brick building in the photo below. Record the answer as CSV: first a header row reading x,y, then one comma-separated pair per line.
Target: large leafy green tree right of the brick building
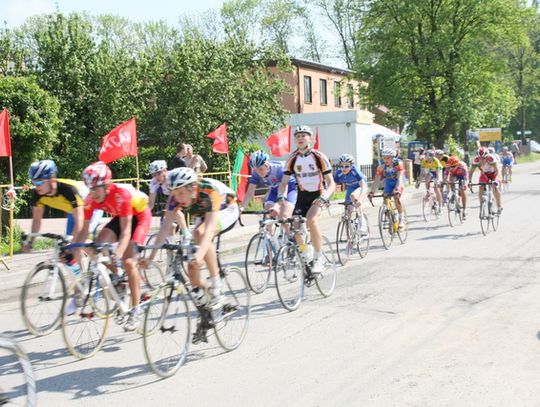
x,y
433,62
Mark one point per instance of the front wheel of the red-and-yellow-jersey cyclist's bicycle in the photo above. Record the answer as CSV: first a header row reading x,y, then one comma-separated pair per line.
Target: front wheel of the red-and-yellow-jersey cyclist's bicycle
x,y
84,327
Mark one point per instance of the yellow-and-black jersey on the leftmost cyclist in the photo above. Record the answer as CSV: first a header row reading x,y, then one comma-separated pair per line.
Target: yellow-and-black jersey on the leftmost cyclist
x,y
69,195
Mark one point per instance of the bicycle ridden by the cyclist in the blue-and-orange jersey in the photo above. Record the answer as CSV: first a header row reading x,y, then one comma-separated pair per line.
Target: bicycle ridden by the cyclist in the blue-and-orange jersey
x,y
389,220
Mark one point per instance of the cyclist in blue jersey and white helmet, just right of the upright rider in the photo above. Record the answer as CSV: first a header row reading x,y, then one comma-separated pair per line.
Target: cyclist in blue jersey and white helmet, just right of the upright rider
x,y
355,183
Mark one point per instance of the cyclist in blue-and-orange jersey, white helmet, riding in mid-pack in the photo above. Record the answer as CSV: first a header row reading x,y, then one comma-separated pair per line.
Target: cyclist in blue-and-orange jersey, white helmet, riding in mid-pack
x,y
391,171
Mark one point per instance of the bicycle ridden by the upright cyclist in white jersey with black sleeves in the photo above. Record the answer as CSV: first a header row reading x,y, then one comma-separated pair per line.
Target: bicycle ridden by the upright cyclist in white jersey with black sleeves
x,y
293,269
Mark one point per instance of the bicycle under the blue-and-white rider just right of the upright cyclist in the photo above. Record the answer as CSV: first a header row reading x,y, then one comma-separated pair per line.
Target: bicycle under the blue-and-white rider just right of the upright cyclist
x,y
349,237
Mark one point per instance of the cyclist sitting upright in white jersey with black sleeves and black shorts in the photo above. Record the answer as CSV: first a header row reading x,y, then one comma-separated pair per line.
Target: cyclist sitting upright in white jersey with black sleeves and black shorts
x,y
312,170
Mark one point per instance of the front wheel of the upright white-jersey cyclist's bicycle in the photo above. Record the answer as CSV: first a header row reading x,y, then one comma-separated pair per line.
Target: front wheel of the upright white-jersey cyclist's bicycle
x,y
289,274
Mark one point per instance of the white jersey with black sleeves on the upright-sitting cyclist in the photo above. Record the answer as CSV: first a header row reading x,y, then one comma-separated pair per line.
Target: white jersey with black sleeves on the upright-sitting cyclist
x,y
309,168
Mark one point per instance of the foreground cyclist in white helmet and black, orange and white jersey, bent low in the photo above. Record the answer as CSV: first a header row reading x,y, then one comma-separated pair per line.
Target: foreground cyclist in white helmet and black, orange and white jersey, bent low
x,y
214,207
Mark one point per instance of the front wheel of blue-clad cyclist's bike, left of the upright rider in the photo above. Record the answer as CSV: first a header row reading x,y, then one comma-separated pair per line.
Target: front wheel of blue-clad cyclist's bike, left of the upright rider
x,y
258,263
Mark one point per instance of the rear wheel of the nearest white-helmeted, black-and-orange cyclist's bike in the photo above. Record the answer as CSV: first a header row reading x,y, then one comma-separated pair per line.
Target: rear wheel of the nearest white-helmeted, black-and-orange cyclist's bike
x,y
232,324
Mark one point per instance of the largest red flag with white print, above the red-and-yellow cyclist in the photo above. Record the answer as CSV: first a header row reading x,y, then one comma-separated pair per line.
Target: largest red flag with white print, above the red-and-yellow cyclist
x,y
120,142
